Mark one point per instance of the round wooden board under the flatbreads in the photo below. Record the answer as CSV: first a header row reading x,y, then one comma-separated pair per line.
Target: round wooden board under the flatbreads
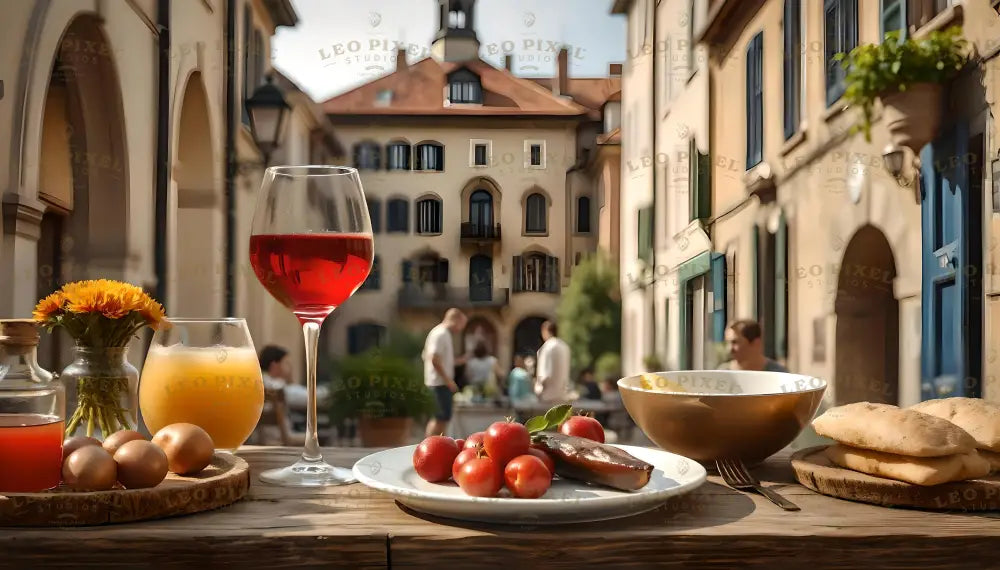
x,y
814,470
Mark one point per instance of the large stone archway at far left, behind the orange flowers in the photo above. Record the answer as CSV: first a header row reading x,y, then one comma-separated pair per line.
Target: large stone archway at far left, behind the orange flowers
x,y
83,170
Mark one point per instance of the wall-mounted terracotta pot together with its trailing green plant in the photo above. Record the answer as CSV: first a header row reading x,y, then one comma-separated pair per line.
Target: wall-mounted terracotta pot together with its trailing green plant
x,y
908,76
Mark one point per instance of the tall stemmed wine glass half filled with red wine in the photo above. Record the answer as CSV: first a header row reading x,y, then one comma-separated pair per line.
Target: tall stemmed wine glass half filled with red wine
x,y
311,247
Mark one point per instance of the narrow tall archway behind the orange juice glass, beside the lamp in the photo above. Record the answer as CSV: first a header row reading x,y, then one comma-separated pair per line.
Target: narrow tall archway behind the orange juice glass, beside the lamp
x,y
198,253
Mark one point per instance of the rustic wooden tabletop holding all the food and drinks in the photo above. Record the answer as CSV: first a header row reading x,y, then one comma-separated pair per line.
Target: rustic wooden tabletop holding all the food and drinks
x,y
355,527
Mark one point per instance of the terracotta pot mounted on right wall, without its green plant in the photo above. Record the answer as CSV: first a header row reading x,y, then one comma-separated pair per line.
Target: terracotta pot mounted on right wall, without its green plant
x,y
913,117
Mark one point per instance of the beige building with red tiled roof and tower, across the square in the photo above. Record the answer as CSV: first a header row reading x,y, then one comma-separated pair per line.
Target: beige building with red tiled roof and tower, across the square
x,y
485,189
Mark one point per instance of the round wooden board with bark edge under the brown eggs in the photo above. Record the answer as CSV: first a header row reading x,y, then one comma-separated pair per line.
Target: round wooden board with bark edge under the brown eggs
x,y
225,481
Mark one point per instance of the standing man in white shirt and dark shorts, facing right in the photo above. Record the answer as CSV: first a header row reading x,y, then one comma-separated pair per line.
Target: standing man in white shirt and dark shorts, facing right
x,y
439,367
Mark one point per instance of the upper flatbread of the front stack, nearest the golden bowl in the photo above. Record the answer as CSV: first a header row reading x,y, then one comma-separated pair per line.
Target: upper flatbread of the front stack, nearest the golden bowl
x,y
890,429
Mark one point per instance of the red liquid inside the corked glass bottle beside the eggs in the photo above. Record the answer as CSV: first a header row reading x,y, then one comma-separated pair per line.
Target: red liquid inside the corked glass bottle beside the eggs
x,y
30,452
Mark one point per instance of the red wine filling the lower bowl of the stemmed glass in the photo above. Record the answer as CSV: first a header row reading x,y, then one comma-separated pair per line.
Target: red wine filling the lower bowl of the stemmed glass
x,y
311,274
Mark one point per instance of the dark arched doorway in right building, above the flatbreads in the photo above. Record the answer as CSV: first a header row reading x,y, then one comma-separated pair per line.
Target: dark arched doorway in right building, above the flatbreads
x,y
867,337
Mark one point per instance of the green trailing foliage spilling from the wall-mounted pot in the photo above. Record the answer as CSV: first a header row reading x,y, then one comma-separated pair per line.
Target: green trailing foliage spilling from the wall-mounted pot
x,y
876,70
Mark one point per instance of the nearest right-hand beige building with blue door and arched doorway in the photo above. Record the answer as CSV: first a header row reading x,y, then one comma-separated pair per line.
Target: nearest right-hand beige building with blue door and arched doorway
x,y
837,257
